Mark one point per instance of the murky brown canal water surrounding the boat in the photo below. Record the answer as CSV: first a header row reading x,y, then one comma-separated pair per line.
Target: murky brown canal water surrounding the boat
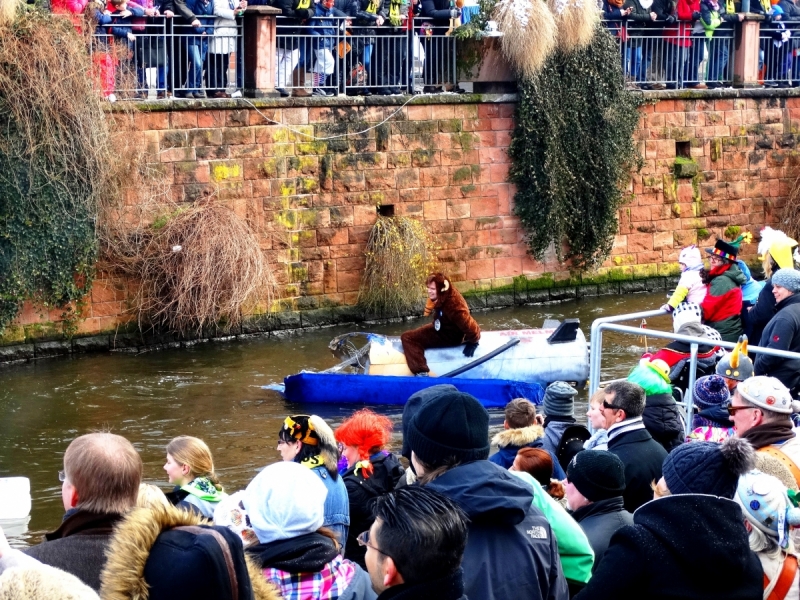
x,y
213,391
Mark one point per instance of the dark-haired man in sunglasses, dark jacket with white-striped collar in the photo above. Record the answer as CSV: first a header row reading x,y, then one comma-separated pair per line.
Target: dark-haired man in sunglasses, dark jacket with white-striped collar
x,y
631,442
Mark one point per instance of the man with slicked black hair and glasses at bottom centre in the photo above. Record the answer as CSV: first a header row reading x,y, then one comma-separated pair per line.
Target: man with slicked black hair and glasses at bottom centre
x,y
415,546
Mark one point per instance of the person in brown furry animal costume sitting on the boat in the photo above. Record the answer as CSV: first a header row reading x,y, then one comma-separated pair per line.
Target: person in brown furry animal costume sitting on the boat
x,y
452,325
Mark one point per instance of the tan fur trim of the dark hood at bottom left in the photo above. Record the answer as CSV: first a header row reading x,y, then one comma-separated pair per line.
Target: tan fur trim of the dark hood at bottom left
x,y
133,539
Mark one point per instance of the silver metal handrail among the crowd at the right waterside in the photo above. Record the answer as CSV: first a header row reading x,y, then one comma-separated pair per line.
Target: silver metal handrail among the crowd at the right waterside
x,y
614,324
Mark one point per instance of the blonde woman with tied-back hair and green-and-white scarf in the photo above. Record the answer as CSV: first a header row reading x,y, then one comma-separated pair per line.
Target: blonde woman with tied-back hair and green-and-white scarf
x,y
190,468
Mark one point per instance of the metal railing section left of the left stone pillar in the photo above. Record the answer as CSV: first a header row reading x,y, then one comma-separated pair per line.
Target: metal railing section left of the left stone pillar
x,y
154,57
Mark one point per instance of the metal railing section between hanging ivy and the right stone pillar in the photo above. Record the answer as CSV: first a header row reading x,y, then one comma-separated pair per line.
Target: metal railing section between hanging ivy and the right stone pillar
x,y
671,56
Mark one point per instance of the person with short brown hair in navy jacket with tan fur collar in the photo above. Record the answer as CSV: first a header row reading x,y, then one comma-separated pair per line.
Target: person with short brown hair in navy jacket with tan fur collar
x,y
522,428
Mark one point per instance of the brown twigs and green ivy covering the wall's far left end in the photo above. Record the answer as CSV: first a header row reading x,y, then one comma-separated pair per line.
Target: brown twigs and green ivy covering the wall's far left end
x,y
54,160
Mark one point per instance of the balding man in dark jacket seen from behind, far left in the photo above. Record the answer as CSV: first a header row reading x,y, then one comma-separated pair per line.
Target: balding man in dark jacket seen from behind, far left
x,y
100,483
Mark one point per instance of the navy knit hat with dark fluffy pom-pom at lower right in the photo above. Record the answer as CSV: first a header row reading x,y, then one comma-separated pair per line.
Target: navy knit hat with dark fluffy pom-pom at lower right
x,y
707,467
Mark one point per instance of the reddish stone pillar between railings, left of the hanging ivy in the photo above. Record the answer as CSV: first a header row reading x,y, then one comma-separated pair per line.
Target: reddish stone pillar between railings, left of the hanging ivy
x,y
259,51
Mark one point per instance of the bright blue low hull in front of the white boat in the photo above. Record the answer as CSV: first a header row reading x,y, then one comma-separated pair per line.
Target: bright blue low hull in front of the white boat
x,y
378,390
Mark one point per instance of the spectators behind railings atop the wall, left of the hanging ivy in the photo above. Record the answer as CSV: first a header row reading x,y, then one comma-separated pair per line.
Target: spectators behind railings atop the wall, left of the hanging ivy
x,y
193,48
